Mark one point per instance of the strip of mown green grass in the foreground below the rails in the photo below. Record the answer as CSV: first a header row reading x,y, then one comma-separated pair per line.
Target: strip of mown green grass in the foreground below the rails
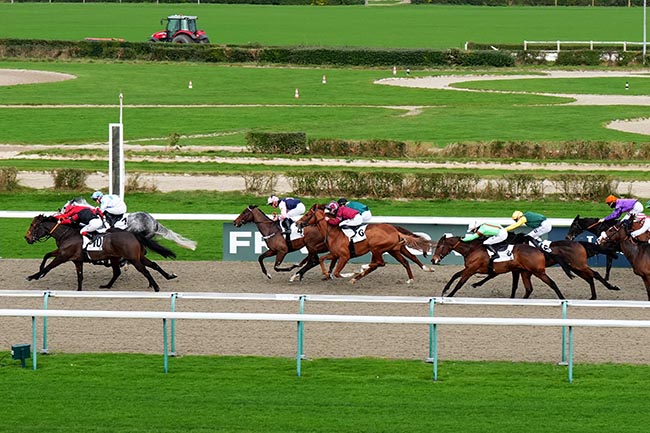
x,y
130,393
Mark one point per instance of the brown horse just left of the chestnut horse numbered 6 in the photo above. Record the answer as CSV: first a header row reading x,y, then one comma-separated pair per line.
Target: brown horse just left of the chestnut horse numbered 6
x,y
277,244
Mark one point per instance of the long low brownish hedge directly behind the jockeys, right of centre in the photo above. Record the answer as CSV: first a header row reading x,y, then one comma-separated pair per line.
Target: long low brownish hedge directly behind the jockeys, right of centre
x,y
389,185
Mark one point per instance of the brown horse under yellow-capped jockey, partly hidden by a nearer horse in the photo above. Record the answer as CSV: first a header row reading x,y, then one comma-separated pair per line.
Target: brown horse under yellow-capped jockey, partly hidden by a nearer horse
x,y
572,253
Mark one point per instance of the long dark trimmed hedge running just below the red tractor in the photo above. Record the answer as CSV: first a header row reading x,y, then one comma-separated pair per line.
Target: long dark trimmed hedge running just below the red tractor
x,y
25,48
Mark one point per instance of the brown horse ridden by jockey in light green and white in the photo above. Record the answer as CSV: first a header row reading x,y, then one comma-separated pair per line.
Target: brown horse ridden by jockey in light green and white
x,y
527,261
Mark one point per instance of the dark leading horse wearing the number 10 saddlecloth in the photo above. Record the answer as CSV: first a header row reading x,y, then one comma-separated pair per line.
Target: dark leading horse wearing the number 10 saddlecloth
x,y
115,246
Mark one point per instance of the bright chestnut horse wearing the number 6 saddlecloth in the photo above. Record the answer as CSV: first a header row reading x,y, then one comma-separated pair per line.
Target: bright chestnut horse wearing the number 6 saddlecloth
x,y
380,239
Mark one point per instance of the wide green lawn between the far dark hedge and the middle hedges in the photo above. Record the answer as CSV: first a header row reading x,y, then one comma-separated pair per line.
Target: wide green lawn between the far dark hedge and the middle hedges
x,y
350,106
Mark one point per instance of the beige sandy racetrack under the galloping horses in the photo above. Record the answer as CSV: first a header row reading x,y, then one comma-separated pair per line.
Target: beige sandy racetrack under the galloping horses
x,y
618,345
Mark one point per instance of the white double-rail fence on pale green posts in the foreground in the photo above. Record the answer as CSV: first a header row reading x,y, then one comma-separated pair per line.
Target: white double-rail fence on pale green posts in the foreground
x,y
433,322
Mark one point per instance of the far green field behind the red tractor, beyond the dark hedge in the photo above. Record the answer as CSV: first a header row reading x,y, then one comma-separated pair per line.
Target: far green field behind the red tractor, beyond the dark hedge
x,y
409,26
